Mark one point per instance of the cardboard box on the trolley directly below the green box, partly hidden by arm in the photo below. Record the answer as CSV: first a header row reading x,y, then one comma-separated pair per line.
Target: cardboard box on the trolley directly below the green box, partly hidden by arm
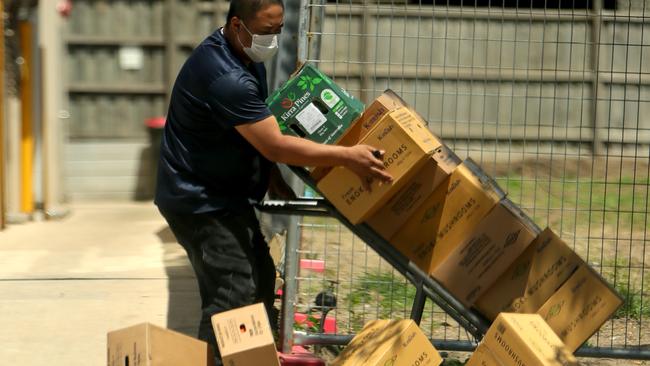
x,y
387,102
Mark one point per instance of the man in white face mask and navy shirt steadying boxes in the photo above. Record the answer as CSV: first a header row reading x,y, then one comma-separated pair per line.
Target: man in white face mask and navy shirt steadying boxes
x,y
216,159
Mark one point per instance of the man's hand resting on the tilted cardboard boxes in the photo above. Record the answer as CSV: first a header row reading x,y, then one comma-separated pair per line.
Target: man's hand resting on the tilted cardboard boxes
x,y
365,162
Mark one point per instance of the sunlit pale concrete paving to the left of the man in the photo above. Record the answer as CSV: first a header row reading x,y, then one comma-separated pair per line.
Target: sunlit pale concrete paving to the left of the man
x,y
64,284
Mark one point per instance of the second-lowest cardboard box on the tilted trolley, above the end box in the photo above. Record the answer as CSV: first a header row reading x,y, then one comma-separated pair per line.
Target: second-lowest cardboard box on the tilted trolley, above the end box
x,y
531,279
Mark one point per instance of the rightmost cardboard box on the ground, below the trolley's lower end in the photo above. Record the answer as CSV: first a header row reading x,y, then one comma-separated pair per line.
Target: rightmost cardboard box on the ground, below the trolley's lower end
x,y
521,339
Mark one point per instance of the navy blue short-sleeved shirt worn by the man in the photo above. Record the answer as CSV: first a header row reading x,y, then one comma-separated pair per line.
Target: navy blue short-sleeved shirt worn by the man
x,y
205,164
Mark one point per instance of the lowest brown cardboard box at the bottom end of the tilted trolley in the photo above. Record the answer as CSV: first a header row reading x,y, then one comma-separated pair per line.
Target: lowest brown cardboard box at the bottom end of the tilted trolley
x,y
577,310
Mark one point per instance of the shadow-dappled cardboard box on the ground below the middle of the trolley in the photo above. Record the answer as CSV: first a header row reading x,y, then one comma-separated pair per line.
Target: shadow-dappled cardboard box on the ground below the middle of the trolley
x,y
389,342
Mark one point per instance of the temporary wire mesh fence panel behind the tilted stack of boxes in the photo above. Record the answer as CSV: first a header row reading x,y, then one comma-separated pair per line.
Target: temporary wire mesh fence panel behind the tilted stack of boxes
x,y
552,98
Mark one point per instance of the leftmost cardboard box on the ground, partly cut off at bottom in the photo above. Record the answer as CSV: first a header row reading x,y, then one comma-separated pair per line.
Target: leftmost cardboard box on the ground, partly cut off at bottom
x,y
149,345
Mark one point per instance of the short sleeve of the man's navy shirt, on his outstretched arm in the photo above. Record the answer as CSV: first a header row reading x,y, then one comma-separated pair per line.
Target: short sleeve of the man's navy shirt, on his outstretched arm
x,y
237,99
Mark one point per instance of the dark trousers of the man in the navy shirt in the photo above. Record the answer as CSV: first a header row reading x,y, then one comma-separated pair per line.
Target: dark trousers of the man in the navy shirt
x,y
231,261
